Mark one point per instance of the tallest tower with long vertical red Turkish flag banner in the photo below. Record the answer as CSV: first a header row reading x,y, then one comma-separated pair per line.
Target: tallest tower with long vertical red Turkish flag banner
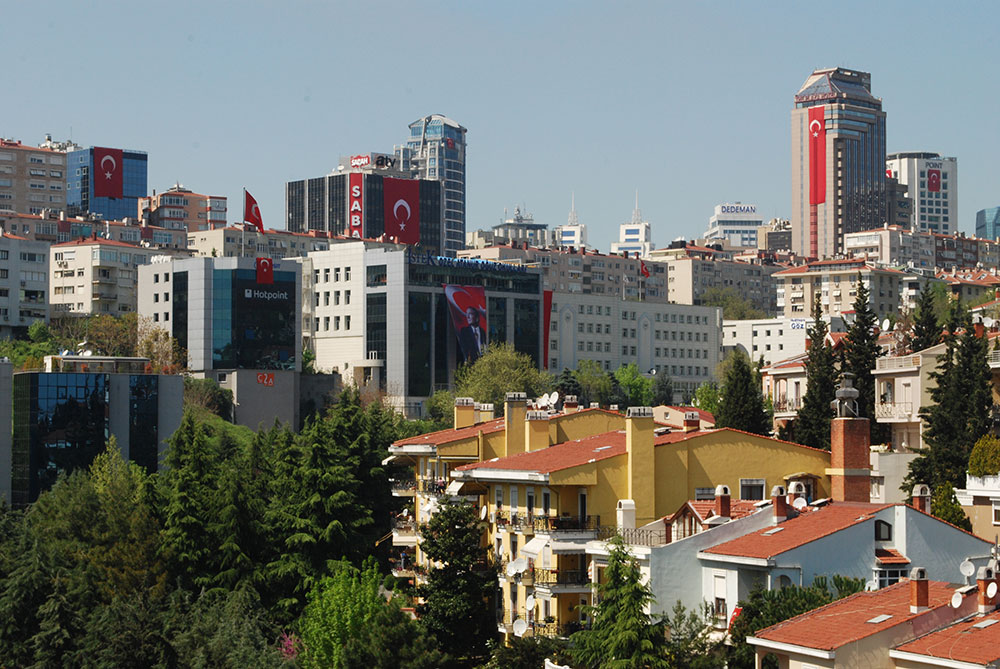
x,y
838,161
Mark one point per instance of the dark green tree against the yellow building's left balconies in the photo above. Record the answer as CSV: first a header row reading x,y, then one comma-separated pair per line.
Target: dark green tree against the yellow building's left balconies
x,y
455,607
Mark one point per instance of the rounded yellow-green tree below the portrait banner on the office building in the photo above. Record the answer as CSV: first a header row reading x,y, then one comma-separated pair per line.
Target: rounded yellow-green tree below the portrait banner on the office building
x,y
500,370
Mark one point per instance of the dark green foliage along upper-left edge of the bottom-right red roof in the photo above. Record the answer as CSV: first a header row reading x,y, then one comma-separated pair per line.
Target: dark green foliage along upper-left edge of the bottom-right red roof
x,y
763,608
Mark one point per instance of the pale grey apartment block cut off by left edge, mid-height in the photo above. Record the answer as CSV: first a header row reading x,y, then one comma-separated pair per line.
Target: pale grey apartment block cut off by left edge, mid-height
x,y
24,283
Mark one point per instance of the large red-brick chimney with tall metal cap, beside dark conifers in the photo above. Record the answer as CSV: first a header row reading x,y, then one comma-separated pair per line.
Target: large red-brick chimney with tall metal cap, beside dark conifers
x,y
850,452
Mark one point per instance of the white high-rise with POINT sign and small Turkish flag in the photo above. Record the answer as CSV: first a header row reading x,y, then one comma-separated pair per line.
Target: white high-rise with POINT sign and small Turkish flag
x,y
931,184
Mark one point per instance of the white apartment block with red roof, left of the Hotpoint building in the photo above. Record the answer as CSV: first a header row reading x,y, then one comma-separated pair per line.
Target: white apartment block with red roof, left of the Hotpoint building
x,y
95,276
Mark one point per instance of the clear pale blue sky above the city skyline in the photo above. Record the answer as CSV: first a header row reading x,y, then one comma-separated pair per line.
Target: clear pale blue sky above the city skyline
x,y
688,103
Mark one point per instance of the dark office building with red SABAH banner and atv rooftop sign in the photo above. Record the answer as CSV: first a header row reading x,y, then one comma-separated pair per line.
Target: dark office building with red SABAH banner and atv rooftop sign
x,y
351,201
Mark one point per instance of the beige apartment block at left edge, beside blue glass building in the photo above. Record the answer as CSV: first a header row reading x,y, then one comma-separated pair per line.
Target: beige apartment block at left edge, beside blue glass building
x,y
32,178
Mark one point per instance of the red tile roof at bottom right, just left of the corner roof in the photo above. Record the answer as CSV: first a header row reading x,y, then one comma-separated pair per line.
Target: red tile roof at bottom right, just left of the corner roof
x,y
846,620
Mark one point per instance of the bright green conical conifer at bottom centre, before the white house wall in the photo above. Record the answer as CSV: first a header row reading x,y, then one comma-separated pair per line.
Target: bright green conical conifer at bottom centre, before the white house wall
x,y
622,634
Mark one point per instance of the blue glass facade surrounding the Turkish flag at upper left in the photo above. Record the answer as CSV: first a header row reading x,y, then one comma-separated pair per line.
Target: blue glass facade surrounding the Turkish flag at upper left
x,y
80,189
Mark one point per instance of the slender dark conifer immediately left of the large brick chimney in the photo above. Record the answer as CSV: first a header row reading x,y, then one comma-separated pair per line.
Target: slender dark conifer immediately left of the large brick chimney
x,y
812,425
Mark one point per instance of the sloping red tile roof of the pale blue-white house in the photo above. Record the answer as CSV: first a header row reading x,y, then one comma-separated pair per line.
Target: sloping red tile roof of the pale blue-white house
x,y
799,531
